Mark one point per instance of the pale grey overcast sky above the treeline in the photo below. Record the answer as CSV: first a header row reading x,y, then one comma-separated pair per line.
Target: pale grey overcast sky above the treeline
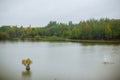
x,y
40,12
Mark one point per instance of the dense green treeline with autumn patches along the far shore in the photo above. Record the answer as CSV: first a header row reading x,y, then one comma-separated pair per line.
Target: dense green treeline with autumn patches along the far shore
x,y
103,29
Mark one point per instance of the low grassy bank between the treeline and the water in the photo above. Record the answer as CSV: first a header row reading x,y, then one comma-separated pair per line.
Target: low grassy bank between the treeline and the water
x,y
59,39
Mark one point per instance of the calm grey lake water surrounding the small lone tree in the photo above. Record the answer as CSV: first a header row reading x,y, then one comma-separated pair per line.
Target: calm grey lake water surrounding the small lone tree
x,y
59,61
